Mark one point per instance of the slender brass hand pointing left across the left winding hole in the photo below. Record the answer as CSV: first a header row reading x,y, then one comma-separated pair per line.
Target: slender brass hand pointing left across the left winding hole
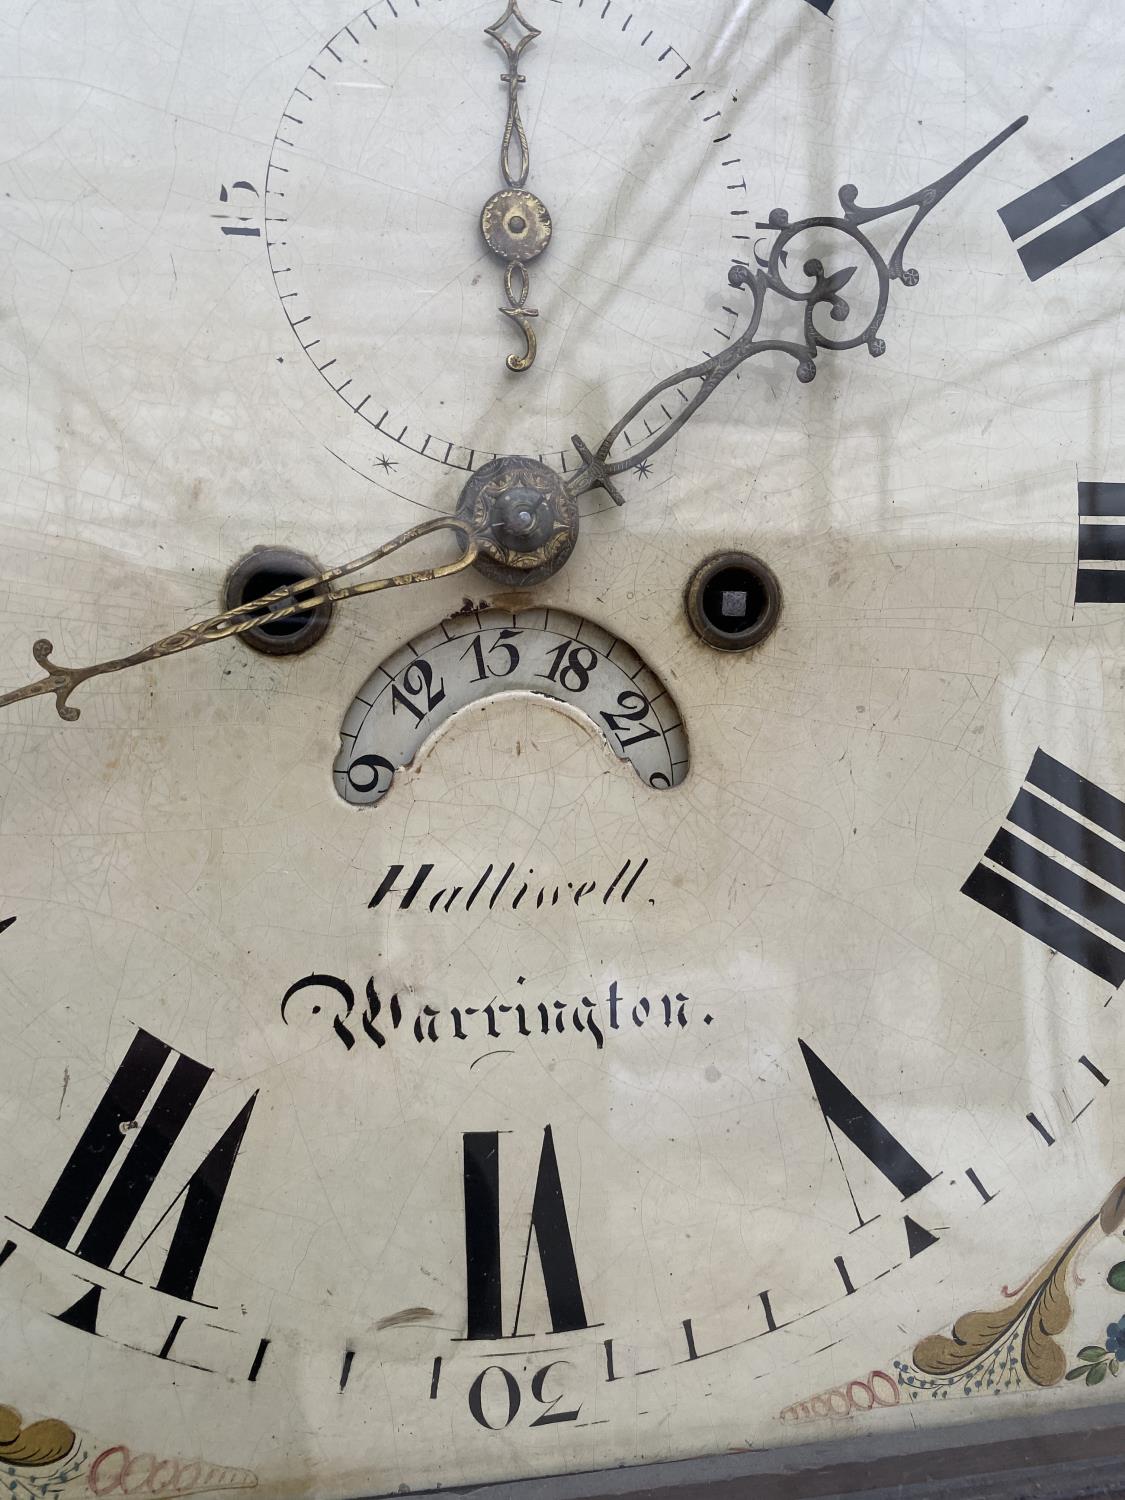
x,y
283,604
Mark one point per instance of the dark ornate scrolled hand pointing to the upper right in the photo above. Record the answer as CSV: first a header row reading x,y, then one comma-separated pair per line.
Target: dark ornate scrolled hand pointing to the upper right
x,y
599,472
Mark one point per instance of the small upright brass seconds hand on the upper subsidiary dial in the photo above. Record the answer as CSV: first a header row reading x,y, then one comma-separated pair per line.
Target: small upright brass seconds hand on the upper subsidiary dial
x,y
515,223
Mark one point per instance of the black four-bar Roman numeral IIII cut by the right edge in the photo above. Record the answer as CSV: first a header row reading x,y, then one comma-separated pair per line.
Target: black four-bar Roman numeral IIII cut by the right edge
x,y
1069,844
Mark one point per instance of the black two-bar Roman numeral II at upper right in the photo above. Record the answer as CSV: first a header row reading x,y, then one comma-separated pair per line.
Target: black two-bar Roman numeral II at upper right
x,y
1081,230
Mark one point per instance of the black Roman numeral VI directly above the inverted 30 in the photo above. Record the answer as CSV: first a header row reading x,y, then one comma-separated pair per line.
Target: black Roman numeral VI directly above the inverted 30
x,y
482,1241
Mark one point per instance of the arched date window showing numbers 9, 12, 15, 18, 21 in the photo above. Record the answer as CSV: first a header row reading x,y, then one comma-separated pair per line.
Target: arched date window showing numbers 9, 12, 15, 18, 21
x,y
493,652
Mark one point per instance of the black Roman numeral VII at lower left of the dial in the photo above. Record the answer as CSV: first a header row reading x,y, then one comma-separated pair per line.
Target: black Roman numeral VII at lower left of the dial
x,y
103,1141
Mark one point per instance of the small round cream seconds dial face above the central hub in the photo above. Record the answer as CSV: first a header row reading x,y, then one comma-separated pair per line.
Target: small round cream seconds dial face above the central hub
x,y
373,217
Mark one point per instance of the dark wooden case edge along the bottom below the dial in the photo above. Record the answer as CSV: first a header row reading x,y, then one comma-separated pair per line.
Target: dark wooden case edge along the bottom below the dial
x,y
1075,1456
